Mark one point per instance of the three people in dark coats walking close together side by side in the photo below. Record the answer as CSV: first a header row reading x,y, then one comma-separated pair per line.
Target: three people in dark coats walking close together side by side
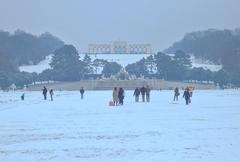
x,y
145,93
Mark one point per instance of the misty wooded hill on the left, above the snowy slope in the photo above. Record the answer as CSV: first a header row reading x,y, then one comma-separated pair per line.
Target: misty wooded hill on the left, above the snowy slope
x,y
24,48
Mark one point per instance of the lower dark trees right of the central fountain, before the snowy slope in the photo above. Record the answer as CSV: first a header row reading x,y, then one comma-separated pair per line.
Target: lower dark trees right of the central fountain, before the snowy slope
x,y
177,68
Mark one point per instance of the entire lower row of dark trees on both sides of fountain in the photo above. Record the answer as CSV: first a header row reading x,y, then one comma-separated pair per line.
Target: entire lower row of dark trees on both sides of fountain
x,y
66,65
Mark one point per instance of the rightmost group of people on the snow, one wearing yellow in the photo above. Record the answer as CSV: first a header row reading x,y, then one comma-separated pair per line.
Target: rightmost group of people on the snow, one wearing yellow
x,y
187,94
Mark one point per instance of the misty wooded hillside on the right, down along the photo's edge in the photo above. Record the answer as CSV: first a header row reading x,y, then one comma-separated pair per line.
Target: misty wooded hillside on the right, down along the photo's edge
x,y
219,46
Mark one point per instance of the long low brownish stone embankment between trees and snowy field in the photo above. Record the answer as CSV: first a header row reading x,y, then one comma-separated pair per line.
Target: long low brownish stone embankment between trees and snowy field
x,y
126,84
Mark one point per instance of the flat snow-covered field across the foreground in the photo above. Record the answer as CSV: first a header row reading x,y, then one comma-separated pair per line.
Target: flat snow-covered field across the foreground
x,y
73,130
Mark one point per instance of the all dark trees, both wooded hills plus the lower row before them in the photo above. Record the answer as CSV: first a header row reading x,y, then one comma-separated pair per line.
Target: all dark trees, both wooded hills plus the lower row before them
x,y
66,64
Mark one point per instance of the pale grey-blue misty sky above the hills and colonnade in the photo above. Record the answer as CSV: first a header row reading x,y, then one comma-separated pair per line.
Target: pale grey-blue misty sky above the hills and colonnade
x,y
80,22
